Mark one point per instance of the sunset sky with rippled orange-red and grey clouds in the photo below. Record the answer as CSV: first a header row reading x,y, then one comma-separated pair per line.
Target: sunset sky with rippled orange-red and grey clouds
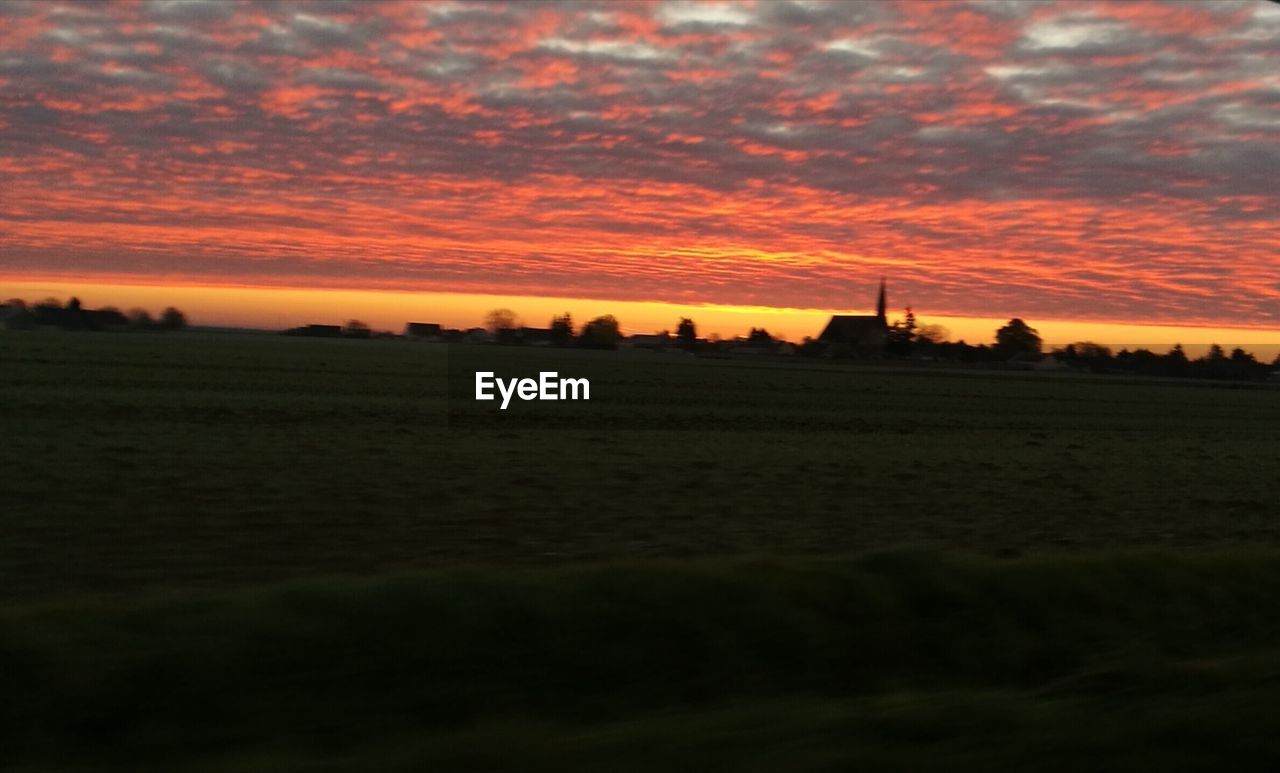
x,y
1078,163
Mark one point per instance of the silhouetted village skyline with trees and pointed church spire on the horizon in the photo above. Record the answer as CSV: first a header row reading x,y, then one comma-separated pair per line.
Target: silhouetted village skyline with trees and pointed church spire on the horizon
x,y
852,339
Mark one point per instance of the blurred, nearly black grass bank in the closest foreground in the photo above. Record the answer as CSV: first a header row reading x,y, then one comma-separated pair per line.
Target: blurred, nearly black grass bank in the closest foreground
x,y
895,661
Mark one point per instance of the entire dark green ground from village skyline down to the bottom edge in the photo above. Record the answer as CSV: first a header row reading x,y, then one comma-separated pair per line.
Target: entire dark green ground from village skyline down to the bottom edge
x,y
246,552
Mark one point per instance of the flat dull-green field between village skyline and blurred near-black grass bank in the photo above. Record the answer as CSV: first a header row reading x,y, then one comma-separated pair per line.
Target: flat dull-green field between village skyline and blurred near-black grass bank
x,y
136,463
